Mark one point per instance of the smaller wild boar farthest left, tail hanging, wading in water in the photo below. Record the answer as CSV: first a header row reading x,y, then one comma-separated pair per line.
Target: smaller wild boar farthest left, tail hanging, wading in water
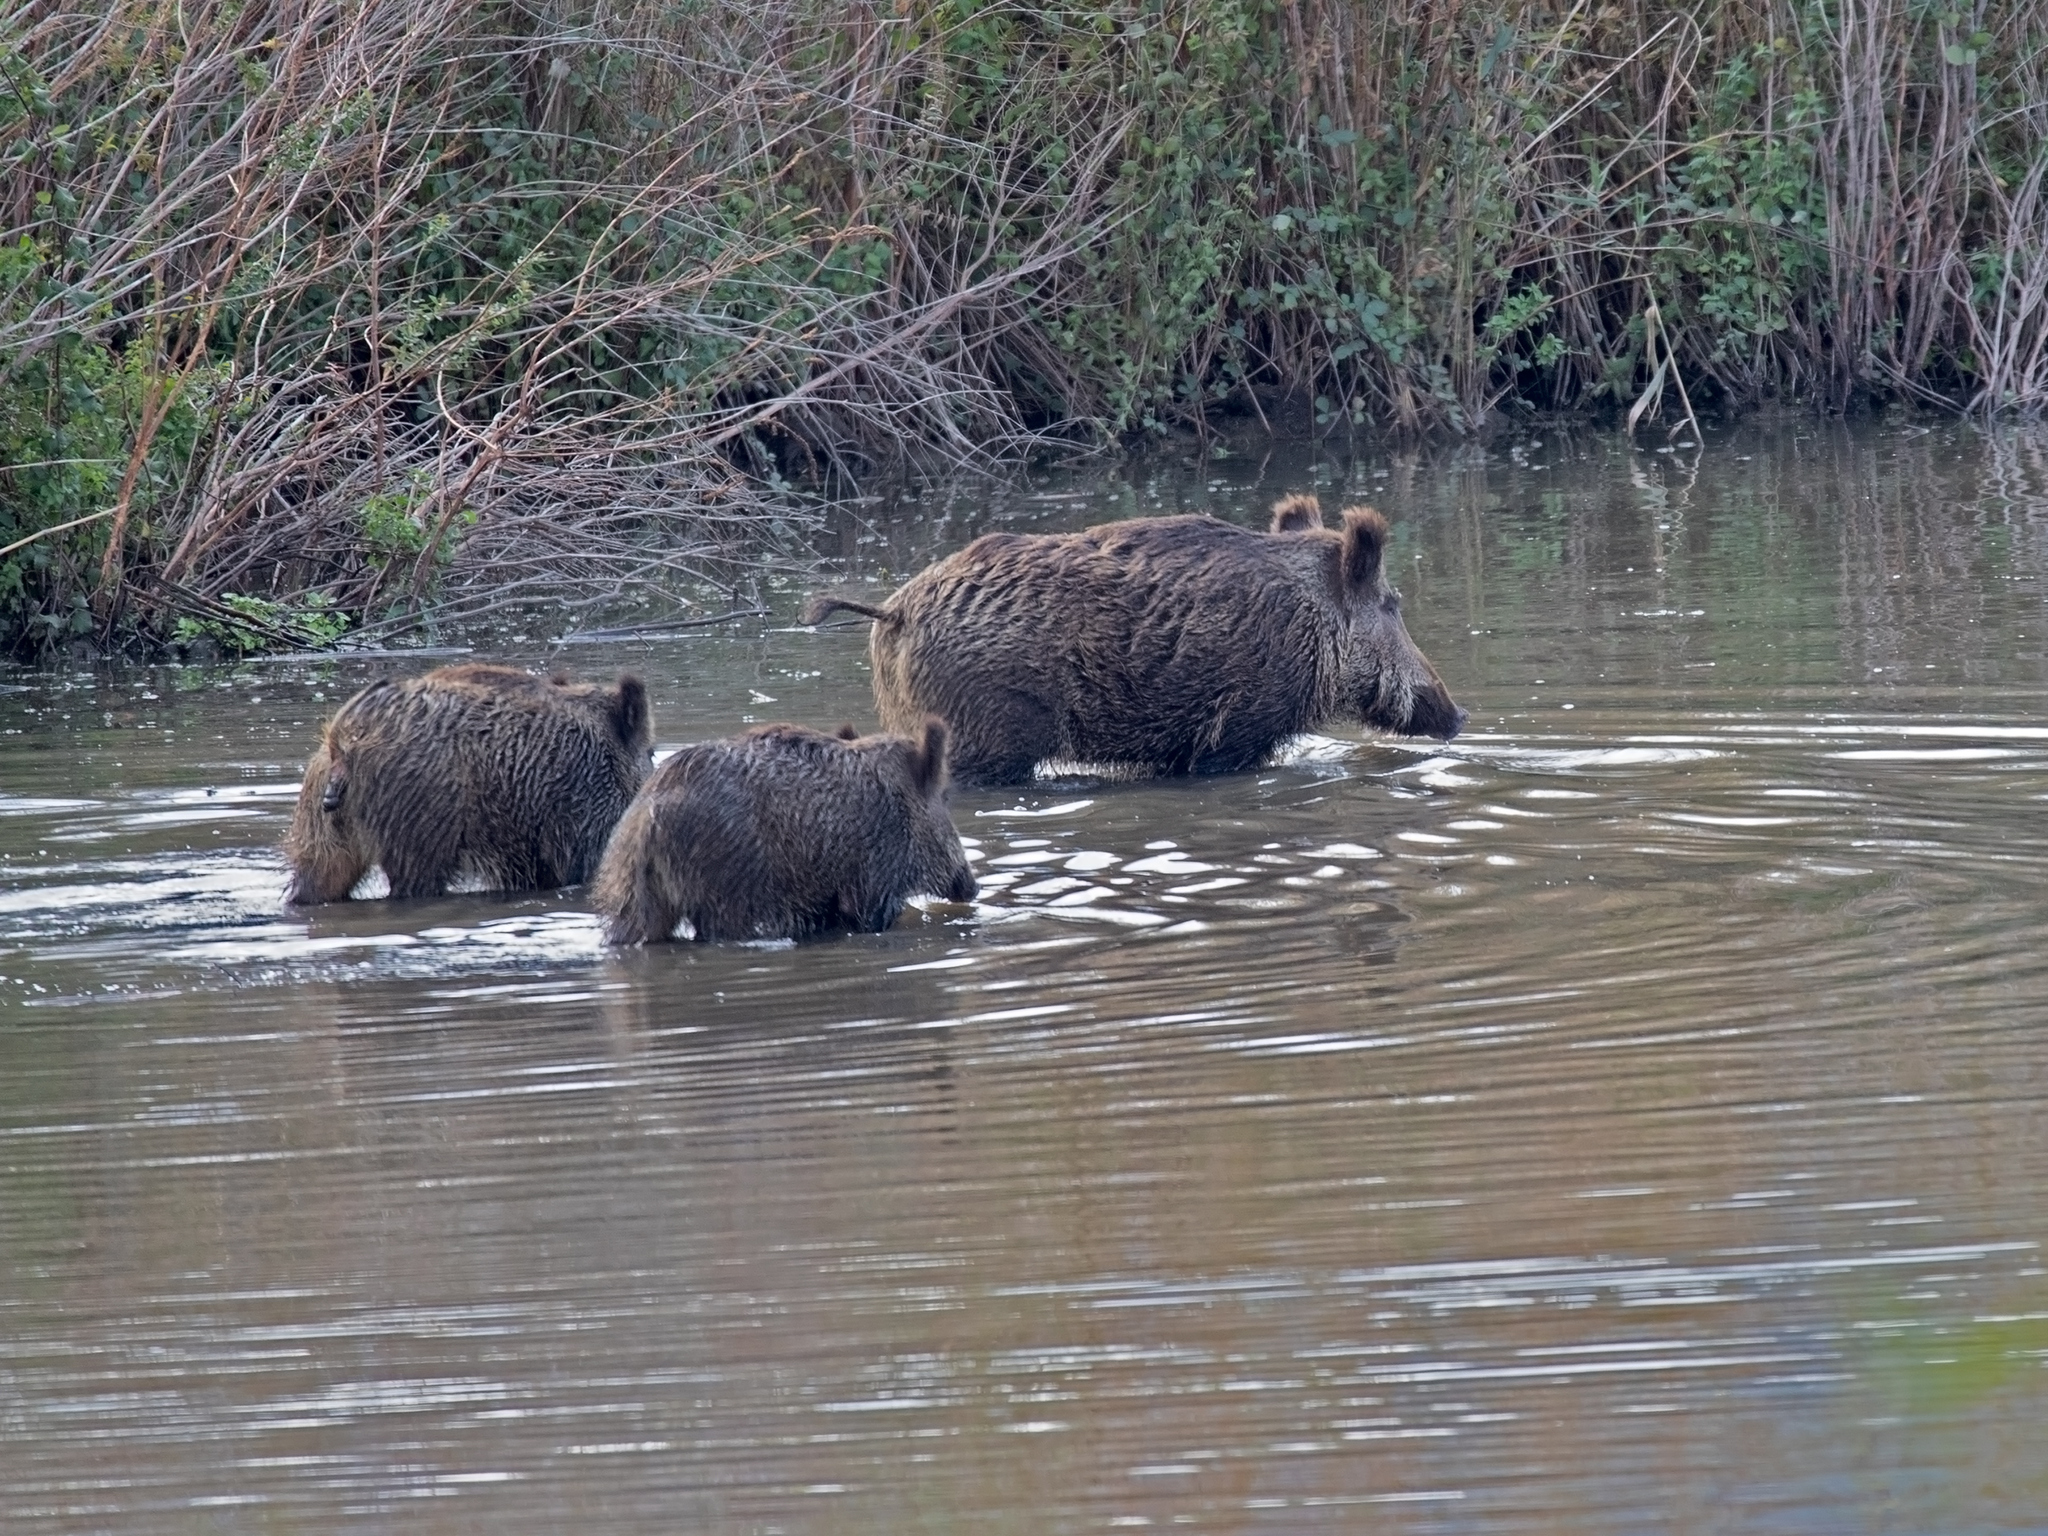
x,y
470,773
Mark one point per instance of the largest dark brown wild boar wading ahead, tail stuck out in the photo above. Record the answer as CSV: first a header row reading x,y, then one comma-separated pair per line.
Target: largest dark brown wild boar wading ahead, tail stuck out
x,y
1162,644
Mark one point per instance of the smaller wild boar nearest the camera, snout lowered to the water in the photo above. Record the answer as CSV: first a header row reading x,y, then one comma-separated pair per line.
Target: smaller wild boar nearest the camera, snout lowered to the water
x,y
785,833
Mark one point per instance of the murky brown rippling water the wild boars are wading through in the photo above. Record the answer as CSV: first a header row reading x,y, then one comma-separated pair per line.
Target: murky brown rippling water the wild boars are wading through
x,y
1629,1117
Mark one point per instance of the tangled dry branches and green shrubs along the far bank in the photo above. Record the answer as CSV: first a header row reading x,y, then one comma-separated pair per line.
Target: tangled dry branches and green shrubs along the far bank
x,y
327,316
